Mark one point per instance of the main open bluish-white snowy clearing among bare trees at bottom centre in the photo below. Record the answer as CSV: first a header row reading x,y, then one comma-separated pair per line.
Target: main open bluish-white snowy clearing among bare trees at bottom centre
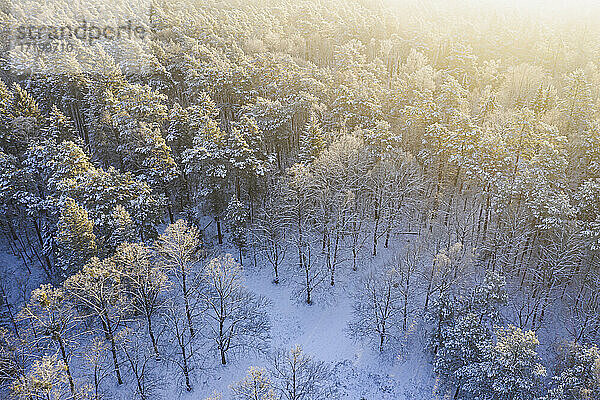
x,y
359,372
